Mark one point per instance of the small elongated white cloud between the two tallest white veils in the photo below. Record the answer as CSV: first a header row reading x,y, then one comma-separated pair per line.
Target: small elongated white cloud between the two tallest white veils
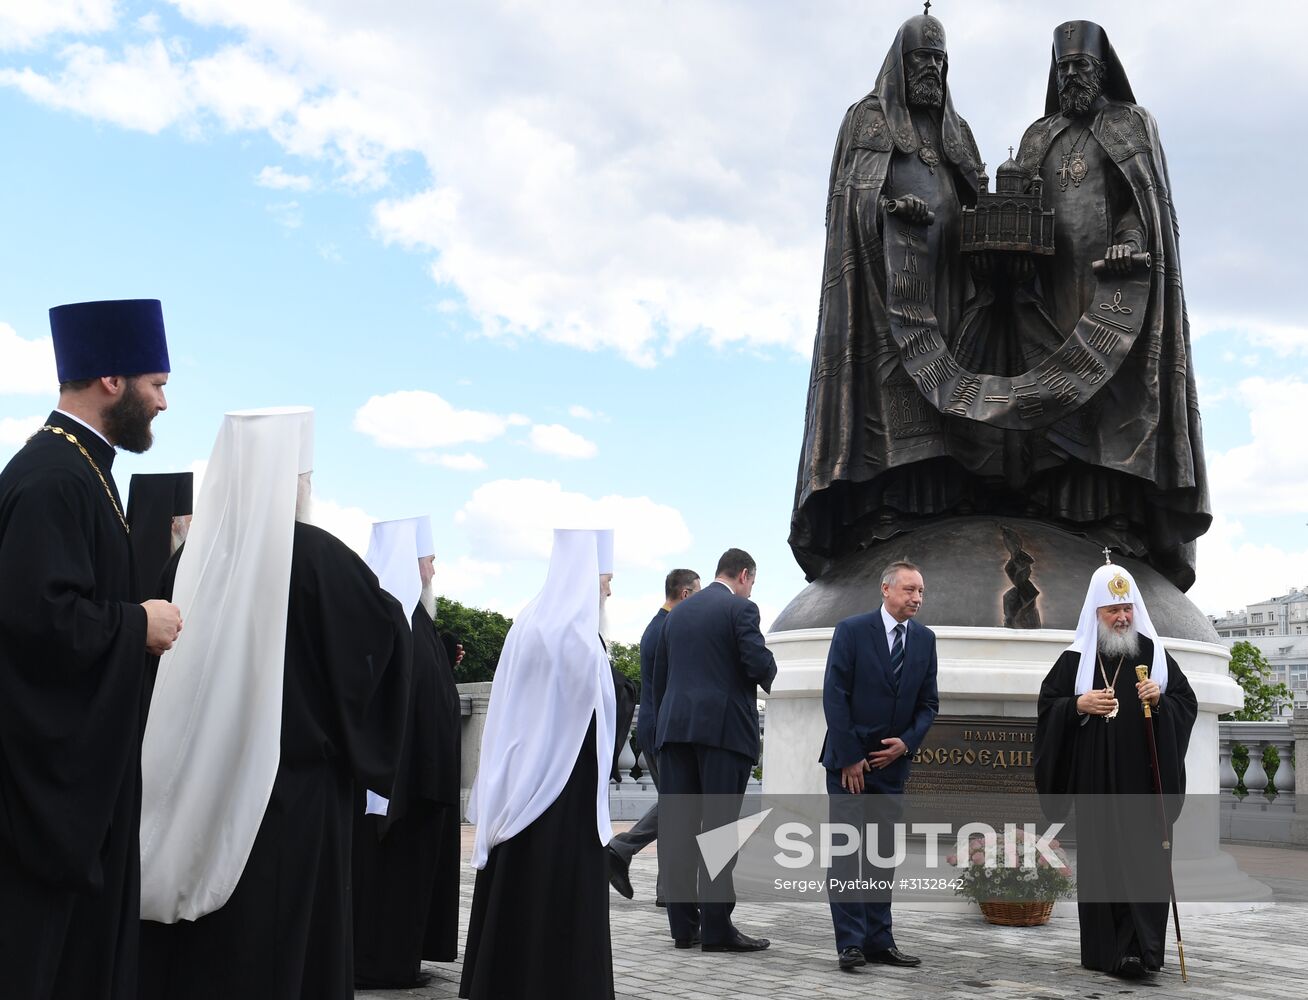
x,y
417,419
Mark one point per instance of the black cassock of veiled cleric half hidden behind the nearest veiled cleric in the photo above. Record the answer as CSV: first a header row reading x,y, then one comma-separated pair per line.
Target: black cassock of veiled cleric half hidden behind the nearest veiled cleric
x,y
407,862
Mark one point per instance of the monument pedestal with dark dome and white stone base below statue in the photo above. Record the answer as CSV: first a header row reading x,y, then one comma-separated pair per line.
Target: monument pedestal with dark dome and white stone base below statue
x,y
990,674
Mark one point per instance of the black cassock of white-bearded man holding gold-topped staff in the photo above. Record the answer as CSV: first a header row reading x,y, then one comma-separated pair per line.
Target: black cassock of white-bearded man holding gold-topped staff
x,y
1103,765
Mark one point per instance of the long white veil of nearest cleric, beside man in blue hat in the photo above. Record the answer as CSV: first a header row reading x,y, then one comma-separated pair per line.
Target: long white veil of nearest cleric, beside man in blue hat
x,y
214,735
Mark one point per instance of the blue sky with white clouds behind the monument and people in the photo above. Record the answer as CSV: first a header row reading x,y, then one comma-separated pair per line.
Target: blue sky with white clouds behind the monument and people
x,y
559,262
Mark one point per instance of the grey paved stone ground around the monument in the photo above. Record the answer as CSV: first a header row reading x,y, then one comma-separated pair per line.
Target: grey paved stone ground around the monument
x,y
1258,954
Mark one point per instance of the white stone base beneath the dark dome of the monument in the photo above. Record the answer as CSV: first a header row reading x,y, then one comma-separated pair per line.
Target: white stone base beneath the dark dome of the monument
x,y
996,674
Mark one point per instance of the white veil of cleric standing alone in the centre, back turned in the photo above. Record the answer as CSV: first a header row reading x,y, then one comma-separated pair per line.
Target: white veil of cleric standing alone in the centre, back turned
x,y
553,676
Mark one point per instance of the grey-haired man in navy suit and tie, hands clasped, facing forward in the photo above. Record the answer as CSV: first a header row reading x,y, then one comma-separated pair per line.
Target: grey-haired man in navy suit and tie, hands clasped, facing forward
x,y
880,697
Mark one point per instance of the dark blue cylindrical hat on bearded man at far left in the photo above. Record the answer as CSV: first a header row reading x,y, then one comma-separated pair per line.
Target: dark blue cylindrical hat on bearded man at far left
x,y
114,338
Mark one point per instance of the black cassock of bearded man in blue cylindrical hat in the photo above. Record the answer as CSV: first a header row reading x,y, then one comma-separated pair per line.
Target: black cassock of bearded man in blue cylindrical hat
x,y
73,667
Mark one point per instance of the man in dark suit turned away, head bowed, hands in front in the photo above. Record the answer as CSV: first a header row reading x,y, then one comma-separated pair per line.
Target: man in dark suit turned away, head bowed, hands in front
x,y
708,669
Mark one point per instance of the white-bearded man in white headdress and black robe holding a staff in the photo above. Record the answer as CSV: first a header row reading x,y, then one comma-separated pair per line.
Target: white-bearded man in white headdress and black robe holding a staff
x,y
1093,750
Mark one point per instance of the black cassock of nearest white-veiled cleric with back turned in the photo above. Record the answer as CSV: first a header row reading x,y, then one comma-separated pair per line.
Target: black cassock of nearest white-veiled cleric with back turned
x,y
286,933
